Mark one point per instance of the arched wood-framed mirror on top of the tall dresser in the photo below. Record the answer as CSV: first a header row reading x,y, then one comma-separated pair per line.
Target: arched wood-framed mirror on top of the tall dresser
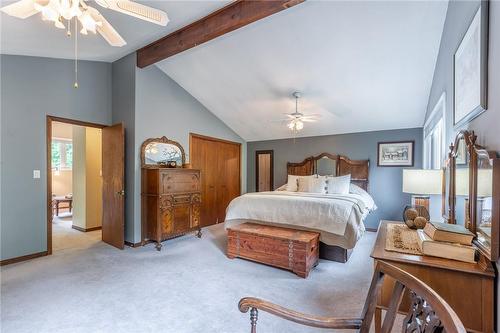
x,y
162,153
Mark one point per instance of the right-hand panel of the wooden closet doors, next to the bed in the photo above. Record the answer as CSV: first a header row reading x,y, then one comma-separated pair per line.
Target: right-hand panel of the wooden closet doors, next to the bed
x,y
229,184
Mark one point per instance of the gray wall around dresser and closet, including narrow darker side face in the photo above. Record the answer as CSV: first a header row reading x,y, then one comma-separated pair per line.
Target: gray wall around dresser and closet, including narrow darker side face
x,y
153,105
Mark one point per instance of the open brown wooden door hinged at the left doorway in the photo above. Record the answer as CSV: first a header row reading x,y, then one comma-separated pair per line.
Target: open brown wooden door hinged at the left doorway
x,y
113,192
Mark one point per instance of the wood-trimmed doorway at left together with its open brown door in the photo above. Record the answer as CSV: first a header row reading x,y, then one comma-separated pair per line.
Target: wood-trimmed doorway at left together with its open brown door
x,y
85,184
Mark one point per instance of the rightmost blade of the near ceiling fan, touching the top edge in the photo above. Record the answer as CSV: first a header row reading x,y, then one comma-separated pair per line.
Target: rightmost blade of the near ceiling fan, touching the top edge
x,y
135,9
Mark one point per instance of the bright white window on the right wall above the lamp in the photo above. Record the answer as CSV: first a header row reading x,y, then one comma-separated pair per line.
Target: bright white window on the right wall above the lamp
x,y
434,134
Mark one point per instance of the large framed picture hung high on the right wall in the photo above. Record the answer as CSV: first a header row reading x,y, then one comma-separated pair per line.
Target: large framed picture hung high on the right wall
x,y
470,70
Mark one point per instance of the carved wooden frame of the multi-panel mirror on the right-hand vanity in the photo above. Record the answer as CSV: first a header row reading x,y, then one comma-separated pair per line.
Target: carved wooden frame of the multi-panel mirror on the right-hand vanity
x,y
475,152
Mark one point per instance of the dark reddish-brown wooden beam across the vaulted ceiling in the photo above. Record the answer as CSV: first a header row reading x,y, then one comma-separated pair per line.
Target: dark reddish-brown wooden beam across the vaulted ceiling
x,y
229,18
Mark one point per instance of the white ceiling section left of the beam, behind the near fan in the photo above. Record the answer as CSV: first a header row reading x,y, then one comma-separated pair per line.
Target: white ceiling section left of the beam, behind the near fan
x,y
34,37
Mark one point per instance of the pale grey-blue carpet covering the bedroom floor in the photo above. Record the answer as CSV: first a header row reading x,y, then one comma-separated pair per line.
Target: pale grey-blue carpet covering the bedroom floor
x,y
190,286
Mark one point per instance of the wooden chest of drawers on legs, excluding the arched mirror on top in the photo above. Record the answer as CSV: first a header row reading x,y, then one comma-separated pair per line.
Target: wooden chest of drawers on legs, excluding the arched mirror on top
x,y
171,201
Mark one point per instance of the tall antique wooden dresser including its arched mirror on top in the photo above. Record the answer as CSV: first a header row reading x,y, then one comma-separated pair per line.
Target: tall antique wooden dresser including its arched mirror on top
x,y
171,193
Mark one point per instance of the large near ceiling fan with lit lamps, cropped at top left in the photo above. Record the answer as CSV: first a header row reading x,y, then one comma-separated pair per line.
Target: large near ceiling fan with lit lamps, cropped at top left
x,y
63,11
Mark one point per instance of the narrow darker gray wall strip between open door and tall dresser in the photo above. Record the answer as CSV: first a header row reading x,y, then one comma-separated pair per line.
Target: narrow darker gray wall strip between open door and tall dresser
x,y
124,112
